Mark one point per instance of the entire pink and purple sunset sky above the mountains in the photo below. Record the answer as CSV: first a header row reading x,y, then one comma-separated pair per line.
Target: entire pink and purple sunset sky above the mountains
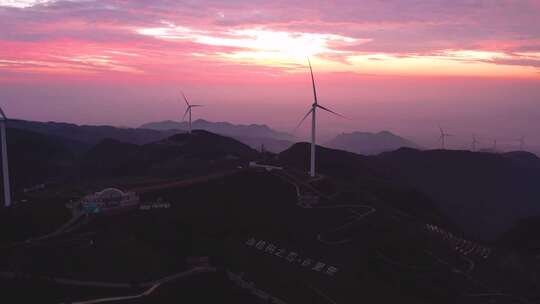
x,y
402,65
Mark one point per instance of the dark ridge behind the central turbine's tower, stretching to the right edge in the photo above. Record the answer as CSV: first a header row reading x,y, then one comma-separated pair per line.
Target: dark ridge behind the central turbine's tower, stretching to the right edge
x,y
483,194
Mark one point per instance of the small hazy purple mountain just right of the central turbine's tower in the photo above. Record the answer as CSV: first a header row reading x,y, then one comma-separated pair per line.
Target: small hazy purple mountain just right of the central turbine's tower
x,y
369,143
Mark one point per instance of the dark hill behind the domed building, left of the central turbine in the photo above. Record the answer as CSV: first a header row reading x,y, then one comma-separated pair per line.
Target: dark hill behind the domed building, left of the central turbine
x,y
37,158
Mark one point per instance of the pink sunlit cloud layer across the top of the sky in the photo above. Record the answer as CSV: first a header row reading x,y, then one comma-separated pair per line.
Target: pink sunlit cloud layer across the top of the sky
x,y
262,33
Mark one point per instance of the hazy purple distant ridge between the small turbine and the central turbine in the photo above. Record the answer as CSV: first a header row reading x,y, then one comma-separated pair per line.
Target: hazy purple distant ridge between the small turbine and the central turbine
x,y
253,135
